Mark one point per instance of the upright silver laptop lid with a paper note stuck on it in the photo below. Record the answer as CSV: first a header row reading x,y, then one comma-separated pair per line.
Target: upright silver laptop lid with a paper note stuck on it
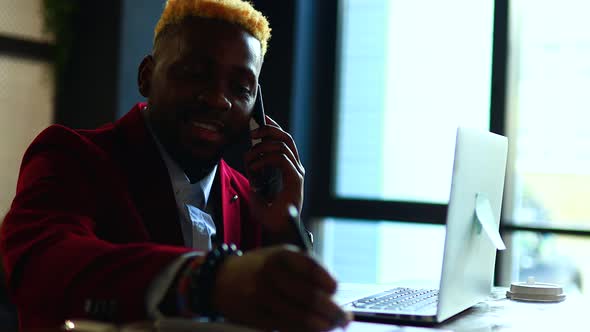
x,y
469,254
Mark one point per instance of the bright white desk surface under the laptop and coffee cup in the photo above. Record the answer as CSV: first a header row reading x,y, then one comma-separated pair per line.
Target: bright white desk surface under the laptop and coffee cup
x,y
495,314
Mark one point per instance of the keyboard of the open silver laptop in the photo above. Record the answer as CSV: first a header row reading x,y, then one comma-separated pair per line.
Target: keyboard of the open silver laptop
x,y
400,299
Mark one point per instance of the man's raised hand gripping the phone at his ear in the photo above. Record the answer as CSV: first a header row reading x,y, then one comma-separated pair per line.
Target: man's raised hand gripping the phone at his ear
x,y
278,150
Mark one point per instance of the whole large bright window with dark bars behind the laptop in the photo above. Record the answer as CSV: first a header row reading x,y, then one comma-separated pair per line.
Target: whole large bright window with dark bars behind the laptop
x,y
407,73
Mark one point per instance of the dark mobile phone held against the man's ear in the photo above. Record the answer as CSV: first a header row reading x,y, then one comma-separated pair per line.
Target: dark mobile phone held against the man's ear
x,y
269,181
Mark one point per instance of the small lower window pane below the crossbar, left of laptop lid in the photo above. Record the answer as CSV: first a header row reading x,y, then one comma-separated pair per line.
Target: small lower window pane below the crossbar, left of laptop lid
x,y
381,252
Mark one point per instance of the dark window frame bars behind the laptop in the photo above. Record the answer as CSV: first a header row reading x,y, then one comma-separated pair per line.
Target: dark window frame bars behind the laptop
x,y
319,40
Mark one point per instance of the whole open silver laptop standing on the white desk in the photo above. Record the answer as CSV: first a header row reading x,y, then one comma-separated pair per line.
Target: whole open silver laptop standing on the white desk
x,y
470,249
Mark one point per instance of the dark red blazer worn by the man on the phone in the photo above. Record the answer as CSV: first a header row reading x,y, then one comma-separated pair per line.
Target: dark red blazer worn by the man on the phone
x,y
94,220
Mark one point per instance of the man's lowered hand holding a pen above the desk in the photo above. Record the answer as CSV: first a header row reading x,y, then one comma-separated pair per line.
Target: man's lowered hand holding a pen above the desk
x,y
277,288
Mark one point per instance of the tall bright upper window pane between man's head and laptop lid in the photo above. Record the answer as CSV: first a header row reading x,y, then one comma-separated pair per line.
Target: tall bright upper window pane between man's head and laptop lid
x,y
410,73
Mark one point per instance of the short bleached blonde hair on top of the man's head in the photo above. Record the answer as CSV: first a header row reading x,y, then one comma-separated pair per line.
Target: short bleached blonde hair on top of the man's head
x,y
239,12
